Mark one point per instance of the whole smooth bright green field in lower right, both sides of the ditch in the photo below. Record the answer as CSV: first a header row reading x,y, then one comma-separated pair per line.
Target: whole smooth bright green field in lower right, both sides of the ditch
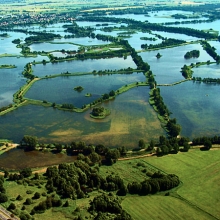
x,y
198,196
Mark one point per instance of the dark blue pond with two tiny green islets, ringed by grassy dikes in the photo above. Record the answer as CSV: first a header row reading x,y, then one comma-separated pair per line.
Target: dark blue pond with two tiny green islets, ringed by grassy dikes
x,y
60,89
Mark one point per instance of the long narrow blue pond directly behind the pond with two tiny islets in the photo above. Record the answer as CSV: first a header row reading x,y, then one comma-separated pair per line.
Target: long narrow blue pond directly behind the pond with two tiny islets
x,y
83,66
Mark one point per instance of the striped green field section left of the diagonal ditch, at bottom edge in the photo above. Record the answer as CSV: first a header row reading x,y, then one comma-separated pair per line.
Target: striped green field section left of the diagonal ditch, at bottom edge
x,y
160,207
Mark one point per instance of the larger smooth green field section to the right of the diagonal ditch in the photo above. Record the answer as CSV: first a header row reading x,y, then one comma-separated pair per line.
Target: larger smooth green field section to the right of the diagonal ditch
x,y
198,171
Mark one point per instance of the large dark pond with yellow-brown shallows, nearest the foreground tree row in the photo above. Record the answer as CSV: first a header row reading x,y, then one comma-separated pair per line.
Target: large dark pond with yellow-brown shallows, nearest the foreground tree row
x,y
131,118
